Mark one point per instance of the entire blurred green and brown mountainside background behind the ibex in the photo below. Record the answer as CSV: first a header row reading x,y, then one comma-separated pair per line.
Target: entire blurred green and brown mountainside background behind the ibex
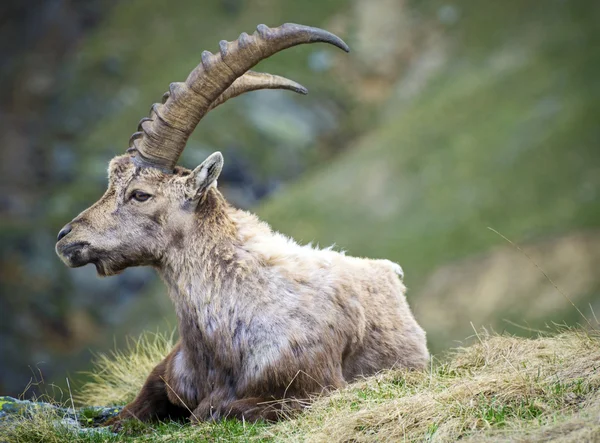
x,y
445,119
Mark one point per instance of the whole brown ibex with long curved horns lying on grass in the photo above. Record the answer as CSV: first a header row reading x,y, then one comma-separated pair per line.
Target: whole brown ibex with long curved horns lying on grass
x,y
262,320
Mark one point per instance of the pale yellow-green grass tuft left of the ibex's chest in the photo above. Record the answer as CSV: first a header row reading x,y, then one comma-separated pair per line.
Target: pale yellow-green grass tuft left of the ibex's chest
x,y
118,376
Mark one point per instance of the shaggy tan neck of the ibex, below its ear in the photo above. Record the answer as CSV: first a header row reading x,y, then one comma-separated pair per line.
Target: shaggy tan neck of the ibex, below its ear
x,y
205,275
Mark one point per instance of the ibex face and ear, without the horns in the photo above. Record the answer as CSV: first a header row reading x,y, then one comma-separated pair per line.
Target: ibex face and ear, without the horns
x,y
143,211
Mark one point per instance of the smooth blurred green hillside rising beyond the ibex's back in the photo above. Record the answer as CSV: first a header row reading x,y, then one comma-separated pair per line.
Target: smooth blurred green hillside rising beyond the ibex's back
x,y
505,135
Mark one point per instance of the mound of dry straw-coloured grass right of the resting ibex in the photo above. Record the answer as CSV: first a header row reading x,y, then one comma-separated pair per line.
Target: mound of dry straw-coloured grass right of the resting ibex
x,y
502,387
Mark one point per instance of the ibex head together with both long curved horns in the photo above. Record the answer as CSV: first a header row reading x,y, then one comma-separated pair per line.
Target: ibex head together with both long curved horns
x,y
151,202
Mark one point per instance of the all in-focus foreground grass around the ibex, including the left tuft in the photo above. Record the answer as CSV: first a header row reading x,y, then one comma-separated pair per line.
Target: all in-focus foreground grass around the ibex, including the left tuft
x,y
501,388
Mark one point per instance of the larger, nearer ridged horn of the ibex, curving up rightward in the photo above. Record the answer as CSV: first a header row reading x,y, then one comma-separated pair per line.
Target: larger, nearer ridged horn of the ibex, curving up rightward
x,y
161,138
